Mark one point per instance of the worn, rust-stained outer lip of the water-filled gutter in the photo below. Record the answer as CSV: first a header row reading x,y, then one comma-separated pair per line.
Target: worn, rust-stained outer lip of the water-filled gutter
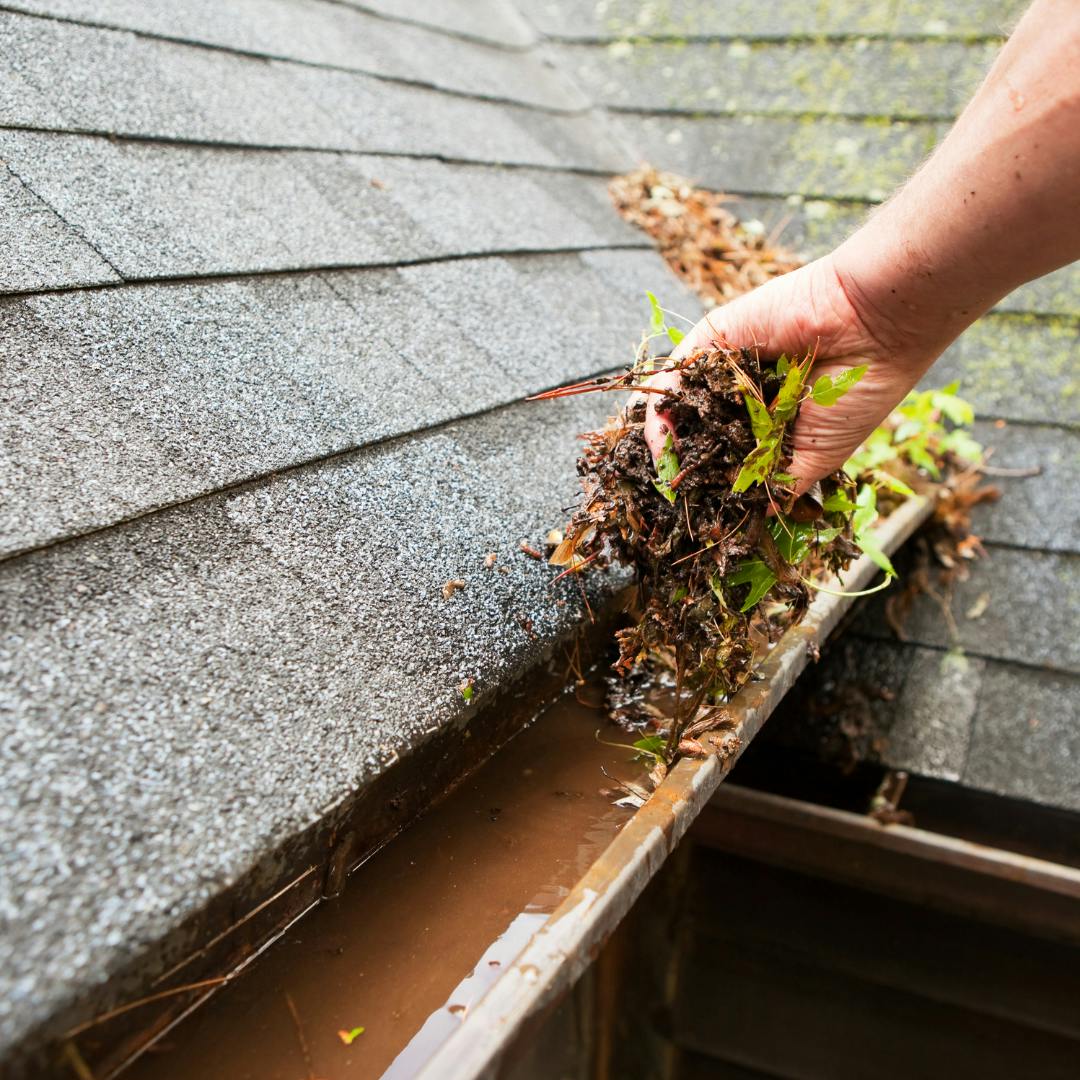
x,y
561,951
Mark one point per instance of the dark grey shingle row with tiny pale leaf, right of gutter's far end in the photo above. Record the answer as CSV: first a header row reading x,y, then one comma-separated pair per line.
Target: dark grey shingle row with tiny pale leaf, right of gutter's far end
x,y
1030,602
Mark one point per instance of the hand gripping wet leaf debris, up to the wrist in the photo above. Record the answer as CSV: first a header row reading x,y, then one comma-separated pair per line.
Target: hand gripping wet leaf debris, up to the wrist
x,y
814,308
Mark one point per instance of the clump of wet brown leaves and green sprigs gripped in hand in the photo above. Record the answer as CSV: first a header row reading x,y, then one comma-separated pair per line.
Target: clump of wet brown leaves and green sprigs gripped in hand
x,y
725,556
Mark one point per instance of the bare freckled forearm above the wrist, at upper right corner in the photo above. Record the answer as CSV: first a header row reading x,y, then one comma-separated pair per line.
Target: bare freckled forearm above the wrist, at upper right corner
x,y
997,205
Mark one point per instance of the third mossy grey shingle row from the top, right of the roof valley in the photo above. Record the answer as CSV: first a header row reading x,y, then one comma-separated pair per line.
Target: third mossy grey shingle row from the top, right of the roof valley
x,y
836,158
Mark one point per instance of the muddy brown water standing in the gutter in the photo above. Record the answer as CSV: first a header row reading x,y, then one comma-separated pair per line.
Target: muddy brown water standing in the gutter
x,y
423,928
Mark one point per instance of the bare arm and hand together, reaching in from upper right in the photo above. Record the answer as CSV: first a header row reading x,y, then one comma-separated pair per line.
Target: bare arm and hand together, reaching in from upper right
x,y
997,205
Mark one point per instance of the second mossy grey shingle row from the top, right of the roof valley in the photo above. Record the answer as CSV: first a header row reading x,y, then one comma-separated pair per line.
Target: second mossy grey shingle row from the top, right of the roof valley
x,y
854,78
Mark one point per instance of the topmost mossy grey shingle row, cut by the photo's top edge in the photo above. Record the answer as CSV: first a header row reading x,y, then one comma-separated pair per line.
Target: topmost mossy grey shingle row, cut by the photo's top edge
x,y
733,19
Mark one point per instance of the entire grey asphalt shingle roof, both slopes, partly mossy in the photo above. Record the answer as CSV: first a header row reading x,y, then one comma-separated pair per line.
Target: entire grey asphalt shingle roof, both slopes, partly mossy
x,y
279,276
